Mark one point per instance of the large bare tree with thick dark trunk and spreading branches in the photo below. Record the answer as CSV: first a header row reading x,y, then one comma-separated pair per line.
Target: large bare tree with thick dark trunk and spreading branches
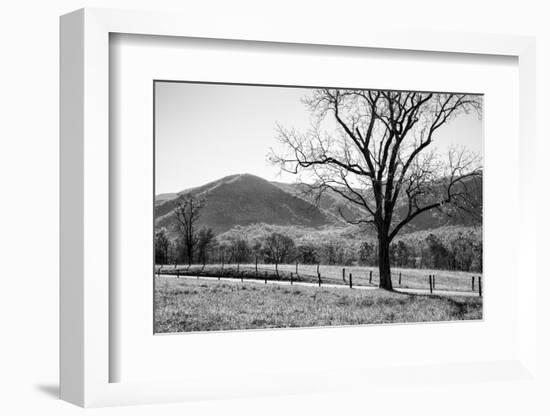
x,y
373,148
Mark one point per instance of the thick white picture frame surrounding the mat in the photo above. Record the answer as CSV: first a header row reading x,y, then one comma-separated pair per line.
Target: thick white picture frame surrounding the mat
x,y
85,220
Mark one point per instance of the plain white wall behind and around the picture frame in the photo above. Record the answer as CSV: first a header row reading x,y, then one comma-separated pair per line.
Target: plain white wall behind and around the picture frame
x,y
29,209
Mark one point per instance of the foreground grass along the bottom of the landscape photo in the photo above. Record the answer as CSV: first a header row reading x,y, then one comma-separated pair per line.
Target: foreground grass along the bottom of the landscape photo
x,y
183,305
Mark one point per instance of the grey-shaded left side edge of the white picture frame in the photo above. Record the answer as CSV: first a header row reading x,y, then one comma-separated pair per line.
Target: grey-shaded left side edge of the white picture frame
x,y
71,202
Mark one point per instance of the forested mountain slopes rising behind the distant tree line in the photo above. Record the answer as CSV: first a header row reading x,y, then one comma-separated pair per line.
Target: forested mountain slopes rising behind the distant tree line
x,y
244,199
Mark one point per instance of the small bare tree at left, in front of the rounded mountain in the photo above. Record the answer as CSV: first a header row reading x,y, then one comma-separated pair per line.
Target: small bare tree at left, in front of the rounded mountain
x,y
187,214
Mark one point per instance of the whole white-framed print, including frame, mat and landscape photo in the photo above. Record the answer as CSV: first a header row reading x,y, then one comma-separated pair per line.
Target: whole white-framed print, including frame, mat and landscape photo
x,y
295,201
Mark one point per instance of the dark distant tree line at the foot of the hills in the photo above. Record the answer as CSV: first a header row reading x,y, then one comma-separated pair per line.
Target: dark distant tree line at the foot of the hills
x,y
460,251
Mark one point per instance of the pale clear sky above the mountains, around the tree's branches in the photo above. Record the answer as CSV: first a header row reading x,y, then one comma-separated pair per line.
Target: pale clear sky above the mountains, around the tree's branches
x,y
204,132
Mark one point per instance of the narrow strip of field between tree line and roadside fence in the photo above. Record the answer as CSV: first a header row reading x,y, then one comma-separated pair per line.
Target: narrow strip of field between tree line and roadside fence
x,y
410,278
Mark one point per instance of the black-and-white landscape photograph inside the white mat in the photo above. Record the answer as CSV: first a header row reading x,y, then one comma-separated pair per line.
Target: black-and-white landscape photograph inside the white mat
x,y
289,206
